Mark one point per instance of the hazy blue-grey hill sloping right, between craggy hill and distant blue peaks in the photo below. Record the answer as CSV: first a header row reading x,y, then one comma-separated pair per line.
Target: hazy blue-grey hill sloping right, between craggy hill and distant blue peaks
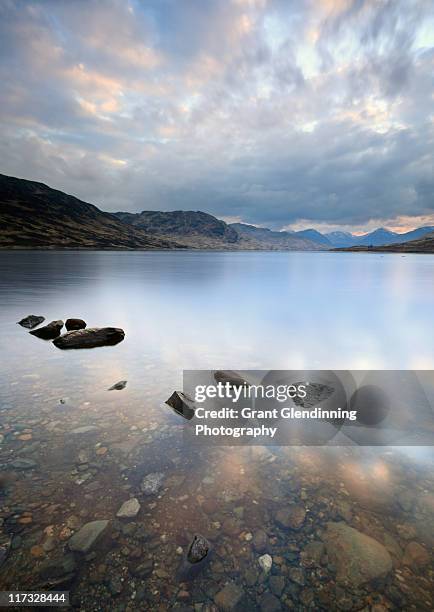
x,y
264,238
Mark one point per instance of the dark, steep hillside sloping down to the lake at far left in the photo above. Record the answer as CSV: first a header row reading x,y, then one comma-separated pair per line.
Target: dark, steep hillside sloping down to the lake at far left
x,y
32,215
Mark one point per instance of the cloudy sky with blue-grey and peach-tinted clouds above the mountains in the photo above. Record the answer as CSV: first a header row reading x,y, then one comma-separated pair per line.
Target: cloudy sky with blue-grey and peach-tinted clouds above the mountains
x,y
281,113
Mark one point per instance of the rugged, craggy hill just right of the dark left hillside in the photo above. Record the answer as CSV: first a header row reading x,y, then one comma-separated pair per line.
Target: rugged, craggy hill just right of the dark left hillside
x,y
187,227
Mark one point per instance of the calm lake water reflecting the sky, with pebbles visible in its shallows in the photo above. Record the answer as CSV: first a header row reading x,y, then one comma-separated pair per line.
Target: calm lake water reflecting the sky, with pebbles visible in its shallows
x,y
208,310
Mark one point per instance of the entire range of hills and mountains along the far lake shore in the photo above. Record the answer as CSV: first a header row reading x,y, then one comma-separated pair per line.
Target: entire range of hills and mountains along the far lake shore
x,y
33,215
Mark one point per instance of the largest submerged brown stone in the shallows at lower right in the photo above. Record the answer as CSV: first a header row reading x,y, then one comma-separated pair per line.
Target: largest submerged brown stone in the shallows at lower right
x,y
358,558
